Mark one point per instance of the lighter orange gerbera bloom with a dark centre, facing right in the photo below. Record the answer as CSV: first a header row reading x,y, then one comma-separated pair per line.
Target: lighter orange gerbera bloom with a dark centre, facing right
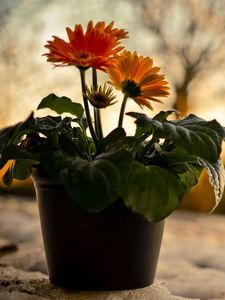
x,y
136,77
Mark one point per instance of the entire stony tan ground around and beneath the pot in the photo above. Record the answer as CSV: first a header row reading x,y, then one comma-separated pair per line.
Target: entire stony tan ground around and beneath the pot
x,y
191,265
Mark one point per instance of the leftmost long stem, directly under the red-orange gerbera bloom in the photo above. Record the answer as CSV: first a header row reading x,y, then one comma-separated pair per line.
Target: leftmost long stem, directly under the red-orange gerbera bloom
x,y
87,111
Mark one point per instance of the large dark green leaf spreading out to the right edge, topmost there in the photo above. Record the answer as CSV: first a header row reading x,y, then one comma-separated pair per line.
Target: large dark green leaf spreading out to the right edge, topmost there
x,y
197,136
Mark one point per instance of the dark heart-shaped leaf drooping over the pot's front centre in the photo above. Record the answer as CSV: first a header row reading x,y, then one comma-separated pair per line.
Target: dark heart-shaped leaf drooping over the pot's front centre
x,y
96,184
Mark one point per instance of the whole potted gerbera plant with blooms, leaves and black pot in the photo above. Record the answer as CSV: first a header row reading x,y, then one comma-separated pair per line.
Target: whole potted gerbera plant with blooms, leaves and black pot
x,y
103,199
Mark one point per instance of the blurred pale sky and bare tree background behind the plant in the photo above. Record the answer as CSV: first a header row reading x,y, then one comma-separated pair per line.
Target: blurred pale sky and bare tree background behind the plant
x,y
186,38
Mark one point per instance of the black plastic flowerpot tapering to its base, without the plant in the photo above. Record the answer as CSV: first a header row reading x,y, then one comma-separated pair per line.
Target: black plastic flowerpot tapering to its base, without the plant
x,y
112,250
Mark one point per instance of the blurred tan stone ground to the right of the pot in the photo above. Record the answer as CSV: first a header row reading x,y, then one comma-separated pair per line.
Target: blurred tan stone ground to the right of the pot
x,y
192,259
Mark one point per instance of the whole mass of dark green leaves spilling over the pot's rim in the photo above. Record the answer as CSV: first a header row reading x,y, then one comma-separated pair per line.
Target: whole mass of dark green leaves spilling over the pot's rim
x,y
150,171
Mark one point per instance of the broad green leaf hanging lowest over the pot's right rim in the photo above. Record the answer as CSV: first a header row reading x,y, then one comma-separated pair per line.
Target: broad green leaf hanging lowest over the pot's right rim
x,y
153,191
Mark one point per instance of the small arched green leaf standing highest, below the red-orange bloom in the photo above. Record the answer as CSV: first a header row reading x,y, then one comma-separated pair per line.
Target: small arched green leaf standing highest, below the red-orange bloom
x,y
62,105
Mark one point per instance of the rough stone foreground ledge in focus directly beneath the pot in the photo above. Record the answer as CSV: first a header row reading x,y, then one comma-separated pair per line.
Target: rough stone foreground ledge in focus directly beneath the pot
x,y
23,285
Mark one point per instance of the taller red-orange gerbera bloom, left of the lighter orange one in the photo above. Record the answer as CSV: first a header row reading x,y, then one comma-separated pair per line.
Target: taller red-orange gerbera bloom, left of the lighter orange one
x,y
95,48
